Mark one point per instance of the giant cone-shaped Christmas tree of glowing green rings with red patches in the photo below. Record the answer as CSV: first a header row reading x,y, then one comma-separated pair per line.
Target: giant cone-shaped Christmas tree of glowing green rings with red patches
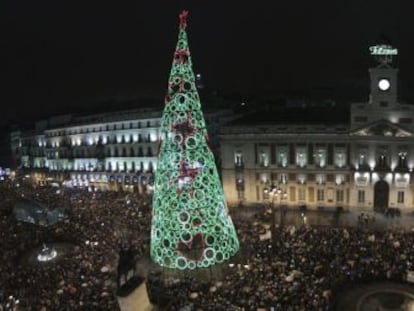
x,y
191,227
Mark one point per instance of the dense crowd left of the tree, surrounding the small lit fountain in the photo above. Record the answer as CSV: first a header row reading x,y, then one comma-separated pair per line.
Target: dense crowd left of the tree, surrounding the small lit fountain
x,y
98,224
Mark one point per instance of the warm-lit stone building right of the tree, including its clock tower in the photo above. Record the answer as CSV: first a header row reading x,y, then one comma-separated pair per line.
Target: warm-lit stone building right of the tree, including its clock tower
x,y
365,163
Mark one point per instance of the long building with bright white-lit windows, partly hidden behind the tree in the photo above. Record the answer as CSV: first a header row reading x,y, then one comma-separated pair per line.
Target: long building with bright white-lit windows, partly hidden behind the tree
x,y
108,151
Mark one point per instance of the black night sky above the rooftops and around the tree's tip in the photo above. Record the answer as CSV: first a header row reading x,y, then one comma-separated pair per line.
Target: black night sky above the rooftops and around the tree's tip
x,y
60,56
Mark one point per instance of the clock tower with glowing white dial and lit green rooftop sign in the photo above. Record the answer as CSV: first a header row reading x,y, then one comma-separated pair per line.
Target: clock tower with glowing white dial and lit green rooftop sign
x,y
383,76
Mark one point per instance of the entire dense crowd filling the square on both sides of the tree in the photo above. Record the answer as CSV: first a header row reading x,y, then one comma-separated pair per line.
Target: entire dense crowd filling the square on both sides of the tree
x,y
303,269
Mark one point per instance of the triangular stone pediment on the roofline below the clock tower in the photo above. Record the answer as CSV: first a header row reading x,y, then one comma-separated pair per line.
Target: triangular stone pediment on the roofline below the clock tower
x,y
382,128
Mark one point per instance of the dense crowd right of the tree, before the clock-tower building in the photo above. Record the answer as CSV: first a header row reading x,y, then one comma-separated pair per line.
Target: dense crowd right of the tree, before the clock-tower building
x,y
304,270
